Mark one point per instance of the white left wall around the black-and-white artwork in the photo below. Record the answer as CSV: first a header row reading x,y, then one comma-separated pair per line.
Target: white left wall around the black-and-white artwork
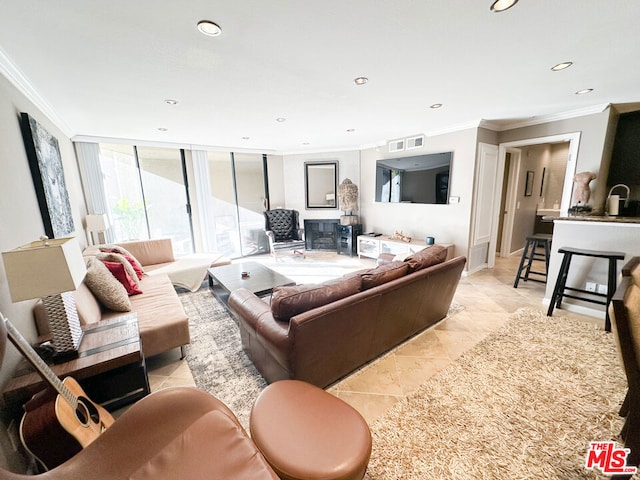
x,y
20,220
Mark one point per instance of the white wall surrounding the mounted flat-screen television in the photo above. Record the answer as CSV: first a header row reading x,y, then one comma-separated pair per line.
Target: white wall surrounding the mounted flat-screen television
x,y
447,223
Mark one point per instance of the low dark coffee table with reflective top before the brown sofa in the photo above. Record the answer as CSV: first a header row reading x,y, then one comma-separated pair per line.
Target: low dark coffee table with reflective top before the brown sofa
x,y
261,280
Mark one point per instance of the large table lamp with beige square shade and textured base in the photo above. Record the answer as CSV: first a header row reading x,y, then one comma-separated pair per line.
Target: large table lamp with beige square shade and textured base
x,y
51,270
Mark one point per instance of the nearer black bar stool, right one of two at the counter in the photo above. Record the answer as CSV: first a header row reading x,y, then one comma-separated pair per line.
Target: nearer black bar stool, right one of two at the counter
x,y
560,288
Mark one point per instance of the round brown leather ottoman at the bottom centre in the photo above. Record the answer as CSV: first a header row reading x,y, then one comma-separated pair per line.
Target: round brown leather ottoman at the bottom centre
x,y
306,433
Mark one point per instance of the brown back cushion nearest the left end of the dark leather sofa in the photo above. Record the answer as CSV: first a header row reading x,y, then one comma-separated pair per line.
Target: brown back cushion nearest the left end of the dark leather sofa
x,y
287,302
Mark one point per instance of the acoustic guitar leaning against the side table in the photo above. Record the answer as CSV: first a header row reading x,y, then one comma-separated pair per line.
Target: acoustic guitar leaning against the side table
x,y
57,423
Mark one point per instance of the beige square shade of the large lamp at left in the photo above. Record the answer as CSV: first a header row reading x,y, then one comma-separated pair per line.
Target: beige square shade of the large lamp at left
x,y
43,268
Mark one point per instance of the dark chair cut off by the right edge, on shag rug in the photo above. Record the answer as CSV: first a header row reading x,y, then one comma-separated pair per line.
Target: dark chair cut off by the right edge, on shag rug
x,y
625,317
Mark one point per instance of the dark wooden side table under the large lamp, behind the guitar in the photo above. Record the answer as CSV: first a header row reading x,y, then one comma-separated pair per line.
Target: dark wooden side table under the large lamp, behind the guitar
x,y
110,366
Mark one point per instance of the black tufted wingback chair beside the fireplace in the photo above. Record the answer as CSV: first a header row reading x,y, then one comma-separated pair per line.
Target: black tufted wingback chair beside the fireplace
x,y
284,232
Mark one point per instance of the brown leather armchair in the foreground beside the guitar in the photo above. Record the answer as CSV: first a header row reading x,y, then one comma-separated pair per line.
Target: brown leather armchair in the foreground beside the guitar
x,y
177,432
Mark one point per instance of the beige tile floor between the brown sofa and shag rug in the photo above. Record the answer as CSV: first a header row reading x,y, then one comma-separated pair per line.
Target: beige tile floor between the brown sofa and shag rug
x,y
488,298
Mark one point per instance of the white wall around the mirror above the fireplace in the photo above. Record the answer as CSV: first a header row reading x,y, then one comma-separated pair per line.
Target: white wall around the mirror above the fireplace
x,y
293,173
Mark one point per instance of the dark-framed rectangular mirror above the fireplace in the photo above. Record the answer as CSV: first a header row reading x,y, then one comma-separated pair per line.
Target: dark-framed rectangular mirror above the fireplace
x,y
321,185
